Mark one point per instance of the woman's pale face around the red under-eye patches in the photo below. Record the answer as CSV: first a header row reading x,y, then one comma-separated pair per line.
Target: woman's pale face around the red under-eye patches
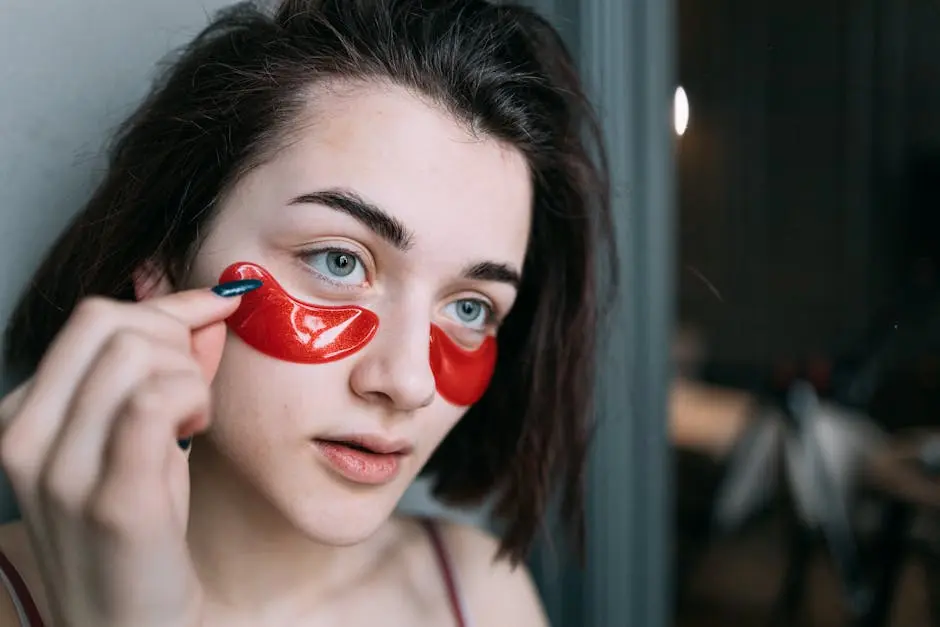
x,y
428,225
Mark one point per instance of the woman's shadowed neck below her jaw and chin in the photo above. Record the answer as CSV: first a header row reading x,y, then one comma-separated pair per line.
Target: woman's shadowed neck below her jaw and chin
x,y
252,561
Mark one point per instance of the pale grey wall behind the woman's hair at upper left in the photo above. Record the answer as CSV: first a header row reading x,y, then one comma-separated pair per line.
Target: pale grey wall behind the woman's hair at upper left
x,y
70,72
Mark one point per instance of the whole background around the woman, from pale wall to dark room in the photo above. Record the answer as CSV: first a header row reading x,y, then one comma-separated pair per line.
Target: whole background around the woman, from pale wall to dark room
x,y
768,444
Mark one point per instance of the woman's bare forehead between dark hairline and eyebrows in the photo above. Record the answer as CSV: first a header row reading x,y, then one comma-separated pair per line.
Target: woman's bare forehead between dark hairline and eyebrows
x,y
455,191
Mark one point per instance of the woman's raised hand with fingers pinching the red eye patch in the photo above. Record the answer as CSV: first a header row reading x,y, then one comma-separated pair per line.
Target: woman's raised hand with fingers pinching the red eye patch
x,y
90,447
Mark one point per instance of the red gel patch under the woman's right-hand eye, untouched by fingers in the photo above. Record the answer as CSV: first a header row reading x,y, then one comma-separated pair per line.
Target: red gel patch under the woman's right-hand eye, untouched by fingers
x,y
461,376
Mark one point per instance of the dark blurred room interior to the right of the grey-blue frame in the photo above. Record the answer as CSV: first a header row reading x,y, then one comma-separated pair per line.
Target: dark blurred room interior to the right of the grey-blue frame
x,y
807,336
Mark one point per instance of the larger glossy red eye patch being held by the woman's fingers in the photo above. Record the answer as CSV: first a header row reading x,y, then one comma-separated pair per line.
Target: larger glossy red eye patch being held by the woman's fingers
x,y
280,326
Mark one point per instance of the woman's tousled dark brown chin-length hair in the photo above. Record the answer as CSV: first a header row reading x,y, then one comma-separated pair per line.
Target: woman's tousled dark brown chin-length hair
x,y
230,98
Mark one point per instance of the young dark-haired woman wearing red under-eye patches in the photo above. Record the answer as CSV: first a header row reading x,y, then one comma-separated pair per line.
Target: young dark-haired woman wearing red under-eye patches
x,y
374,190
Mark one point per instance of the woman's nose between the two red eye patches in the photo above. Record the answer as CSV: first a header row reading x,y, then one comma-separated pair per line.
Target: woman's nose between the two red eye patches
x,y
395,369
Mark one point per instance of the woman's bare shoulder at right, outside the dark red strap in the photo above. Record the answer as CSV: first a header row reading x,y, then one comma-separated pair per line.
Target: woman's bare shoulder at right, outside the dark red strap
x,y
495,592
